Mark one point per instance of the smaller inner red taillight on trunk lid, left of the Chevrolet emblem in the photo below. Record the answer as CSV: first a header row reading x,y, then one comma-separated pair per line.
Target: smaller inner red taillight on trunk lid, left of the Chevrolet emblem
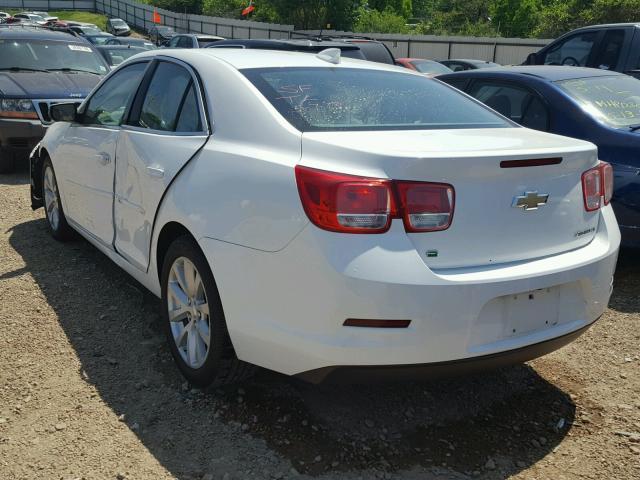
x,y
426,207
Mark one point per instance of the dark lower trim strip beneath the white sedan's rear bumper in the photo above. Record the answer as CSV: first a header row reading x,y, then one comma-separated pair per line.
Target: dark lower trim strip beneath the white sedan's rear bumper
x,y
391,373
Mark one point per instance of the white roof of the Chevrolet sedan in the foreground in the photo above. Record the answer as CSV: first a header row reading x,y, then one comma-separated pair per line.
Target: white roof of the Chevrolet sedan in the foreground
x,y
240,58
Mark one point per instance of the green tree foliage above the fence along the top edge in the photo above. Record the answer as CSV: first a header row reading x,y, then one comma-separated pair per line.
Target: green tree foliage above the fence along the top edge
x,y
507,18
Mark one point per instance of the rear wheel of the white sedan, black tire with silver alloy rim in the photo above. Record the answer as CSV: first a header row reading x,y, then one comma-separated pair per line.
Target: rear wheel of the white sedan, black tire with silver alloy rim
x,y
203,365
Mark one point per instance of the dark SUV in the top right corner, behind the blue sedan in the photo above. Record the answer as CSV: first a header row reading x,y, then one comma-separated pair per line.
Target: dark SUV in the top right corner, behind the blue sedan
x,y
614,47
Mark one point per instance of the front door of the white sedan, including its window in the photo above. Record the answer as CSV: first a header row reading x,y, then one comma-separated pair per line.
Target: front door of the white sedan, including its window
x,y
87,154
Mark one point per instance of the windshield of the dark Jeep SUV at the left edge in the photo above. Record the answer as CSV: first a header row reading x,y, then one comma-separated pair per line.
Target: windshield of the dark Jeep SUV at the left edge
x,y
46,55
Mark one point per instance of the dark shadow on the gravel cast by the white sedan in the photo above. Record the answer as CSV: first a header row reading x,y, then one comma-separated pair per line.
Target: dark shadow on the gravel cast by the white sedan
x,y
491,425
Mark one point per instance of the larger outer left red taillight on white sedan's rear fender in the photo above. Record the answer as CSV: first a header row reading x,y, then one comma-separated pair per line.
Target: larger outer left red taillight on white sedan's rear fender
x,y
345,203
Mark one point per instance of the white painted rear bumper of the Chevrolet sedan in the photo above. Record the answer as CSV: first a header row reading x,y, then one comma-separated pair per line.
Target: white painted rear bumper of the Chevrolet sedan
x,y
285,310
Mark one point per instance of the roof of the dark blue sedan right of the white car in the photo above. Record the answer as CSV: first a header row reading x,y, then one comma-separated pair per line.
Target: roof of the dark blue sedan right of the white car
x,y
551,73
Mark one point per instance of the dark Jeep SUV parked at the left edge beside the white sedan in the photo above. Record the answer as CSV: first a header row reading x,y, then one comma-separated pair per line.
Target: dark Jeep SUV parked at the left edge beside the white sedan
x,y
39,67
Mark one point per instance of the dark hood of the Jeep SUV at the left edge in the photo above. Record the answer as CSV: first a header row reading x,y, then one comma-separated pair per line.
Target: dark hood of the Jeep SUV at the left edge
x,y
47,85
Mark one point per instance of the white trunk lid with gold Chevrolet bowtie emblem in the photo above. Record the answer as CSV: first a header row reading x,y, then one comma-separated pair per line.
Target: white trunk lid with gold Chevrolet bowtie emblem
x,y
488,227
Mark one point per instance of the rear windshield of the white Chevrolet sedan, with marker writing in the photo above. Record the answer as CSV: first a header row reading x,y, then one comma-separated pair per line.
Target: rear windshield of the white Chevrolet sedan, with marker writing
x,y
332,99
